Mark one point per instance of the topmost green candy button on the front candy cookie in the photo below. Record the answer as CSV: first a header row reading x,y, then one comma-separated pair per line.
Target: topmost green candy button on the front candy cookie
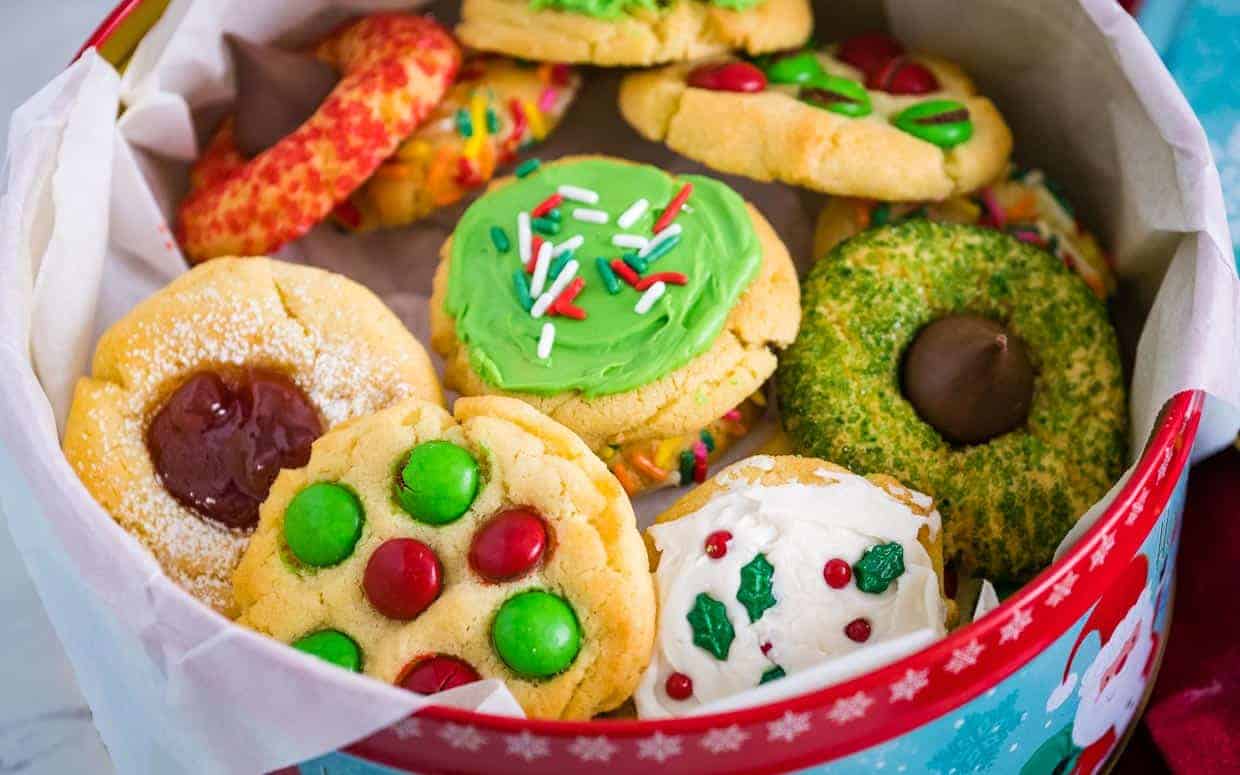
x,y
440,483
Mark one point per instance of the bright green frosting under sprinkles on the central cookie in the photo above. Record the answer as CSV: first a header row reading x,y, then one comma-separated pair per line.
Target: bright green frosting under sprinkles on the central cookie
x,y
614,349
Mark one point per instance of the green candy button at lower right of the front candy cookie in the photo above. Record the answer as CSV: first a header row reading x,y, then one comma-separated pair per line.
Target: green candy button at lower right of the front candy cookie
x,y
536,634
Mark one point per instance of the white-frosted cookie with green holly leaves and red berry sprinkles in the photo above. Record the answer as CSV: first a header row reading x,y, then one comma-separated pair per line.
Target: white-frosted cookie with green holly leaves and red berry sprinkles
x,y
741,560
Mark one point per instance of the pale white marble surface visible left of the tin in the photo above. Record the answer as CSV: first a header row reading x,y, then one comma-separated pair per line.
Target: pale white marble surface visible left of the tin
x,y
45,726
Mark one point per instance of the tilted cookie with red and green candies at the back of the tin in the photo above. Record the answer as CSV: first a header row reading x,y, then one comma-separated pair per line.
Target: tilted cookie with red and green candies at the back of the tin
x,y
856,120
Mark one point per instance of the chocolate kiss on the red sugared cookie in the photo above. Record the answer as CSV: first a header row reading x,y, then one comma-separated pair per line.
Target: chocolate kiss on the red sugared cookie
x,y
277,92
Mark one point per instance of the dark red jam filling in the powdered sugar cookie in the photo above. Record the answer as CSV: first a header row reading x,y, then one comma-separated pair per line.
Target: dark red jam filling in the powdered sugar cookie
x,y
219,442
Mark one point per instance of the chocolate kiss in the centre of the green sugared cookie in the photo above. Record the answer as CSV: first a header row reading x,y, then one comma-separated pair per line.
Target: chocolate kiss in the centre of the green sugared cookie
x,y
969,379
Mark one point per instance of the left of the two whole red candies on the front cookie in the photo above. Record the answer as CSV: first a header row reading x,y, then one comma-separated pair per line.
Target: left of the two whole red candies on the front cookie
x,y
402,578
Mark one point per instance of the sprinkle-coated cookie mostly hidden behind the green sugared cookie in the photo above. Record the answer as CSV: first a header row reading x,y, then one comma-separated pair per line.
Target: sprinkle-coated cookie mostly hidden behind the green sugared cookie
x,y
1025,204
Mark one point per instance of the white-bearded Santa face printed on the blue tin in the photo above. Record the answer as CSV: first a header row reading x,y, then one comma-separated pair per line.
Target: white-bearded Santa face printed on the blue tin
x,y
1115,683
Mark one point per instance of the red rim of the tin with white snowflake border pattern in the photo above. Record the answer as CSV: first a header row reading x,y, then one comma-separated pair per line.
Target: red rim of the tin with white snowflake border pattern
x,y
1167,452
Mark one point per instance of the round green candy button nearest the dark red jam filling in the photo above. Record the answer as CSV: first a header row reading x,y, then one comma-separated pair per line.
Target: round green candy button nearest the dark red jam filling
x,y
322,525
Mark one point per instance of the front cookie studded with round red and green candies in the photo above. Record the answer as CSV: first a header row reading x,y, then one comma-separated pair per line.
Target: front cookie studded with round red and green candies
x,y
428,550
